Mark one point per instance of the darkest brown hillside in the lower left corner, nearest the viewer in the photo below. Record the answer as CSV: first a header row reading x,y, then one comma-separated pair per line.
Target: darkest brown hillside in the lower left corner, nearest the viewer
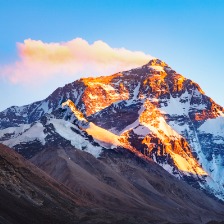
x,y
28,195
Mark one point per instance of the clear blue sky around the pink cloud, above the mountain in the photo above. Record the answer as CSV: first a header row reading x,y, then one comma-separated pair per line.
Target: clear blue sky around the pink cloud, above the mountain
x,y
186,34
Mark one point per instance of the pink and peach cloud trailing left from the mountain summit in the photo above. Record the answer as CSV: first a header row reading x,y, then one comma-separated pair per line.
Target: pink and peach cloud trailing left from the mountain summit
x,y
39,62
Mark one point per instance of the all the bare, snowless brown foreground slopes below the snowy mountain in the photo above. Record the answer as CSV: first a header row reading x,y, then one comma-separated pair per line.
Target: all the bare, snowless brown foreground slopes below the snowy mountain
x,y
109,190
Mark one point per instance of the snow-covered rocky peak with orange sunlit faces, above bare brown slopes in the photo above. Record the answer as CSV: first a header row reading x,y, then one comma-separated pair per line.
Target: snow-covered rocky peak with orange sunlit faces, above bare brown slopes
x,y
152,111
